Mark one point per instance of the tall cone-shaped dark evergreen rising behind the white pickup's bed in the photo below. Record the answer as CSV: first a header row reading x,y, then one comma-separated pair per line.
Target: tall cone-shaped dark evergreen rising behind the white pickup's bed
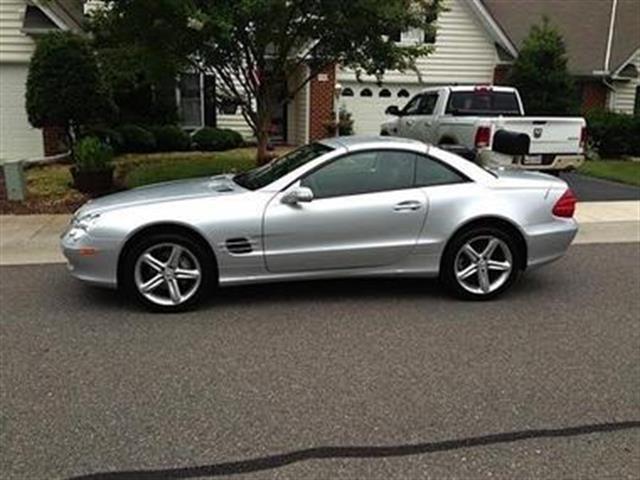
x,y
540,73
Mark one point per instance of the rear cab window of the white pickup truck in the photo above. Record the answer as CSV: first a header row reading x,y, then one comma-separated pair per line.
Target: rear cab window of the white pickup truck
x,y
483,103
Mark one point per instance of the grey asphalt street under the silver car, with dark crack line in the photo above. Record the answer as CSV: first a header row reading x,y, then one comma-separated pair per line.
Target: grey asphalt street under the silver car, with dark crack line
x,y
342,380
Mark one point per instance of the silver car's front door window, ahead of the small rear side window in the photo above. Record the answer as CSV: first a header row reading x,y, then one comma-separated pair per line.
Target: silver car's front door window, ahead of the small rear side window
x,y
363,172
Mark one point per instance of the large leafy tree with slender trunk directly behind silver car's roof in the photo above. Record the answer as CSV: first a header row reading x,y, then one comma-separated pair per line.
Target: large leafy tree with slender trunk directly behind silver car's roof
x,y
263,52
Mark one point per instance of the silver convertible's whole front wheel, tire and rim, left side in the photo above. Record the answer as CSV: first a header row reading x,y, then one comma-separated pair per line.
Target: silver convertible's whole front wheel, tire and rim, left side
x,y
167,272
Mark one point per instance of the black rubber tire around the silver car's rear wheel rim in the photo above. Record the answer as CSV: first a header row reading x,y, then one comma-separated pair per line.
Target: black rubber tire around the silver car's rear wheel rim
x,y
448,267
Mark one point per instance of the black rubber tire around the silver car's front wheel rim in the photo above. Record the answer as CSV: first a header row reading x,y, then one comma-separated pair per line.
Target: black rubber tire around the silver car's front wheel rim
x,y
206,265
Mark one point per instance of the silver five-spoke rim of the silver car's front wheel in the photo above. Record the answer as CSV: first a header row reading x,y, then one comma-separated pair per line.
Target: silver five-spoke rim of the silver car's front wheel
x,y
167,274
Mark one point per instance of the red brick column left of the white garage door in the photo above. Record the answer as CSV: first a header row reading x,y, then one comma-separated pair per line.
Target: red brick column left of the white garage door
x,y
322,91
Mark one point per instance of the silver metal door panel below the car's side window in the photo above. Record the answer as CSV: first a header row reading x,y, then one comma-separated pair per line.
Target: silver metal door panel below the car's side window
x,y
366,230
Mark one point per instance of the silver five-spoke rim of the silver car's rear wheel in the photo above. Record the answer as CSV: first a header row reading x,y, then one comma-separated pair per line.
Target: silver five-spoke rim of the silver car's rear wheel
x,y
483,264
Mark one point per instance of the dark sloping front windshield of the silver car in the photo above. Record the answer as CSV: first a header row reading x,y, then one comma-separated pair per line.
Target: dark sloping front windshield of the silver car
x,y
279,167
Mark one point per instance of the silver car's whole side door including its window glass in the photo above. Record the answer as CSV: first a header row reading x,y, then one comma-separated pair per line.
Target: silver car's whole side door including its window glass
x,y
365,213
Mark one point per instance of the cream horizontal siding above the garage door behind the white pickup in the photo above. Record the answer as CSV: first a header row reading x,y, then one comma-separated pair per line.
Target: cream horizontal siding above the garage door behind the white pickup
x,y
464,52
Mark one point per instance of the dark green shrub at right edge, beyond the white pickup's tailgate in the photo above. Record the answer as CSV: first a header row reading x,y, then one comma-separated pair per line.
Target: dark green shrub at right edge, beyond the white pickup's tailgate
x,y
614,134
